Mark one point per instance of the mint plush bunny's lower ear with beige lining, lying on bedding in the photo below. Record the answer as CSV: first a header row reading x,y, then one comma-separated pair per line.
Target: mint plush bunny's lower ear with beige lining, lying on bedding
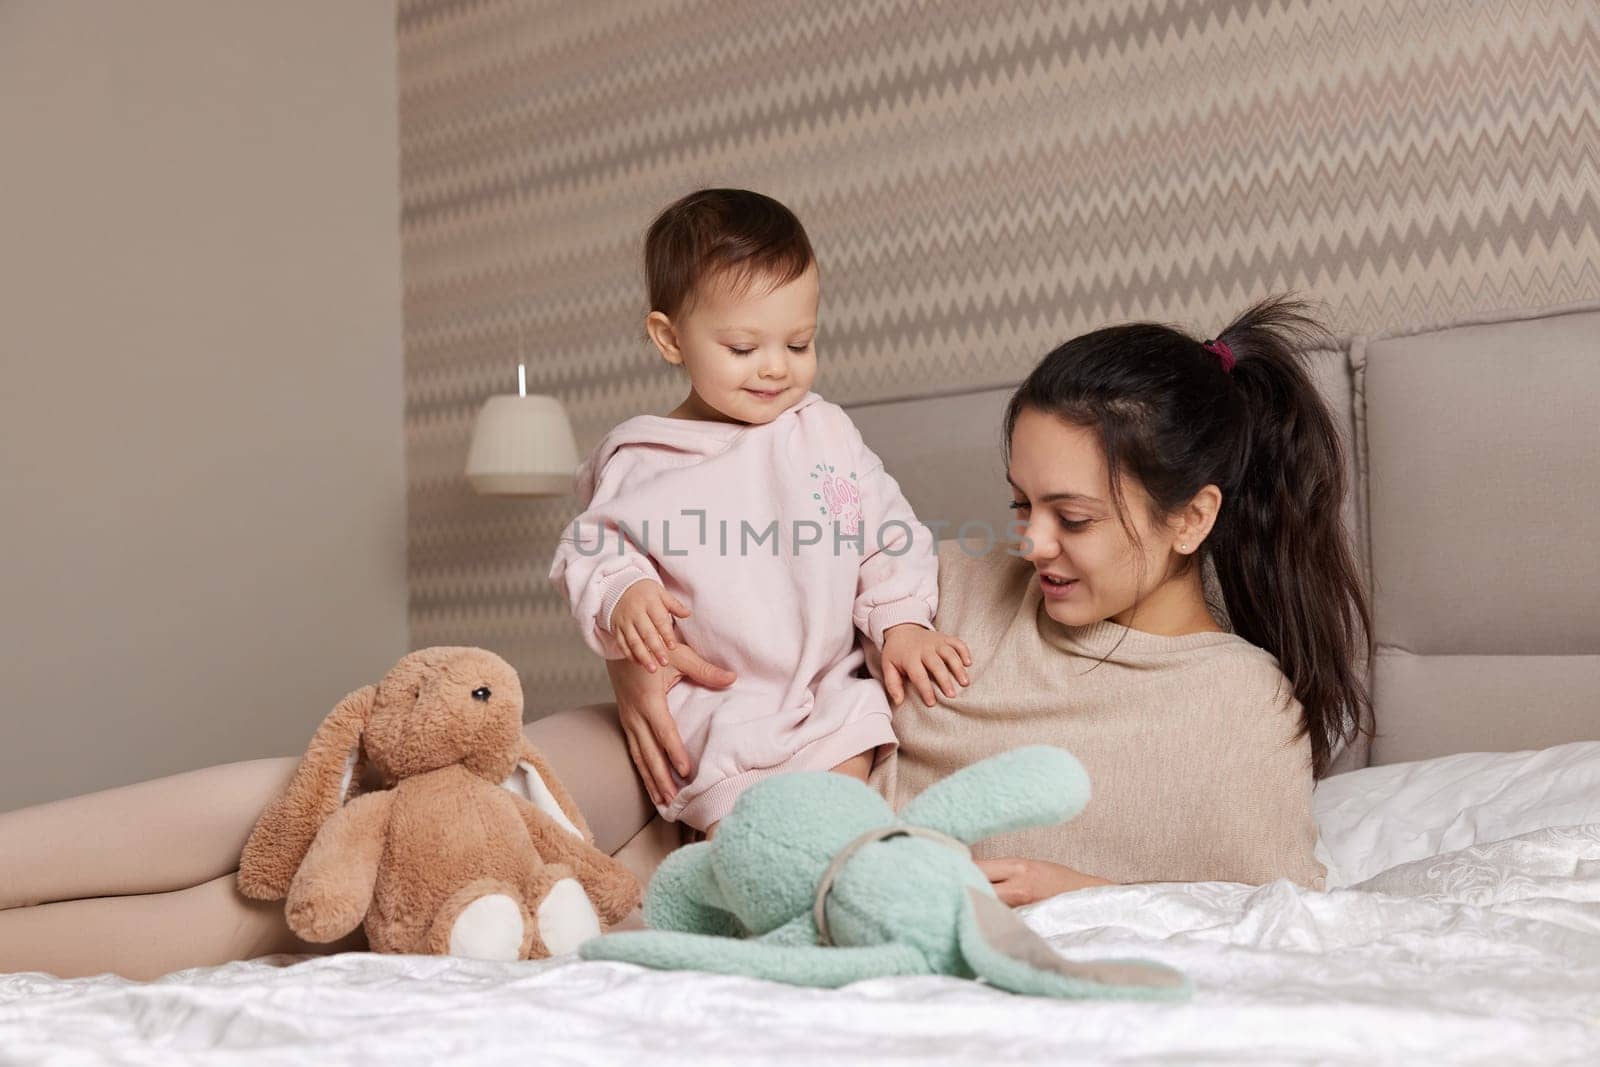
x,y
1006,953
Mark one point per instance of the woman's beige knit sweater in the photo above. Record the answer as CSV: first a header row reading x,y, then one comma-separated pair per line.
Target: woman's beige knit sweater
x,y
1190,741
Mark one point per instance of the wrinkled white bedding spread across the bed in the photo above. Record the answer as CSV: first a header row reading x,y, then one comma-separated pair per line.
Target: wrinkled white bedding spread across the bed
x,y
1486,954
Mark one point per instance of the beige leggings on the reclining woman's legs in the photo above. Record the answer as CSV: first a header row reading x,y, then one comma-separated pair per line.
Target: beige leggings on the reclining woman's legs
x,y
140,881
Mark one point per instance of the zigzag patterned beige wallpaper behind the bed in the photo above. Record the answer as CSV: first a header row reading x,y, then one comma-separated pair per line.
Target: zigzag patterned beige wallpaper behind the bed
x,y
980,180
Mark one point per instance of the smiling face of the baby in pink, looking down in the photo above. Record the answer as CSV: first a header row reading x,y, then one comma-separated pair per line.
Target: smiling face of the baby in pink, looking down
x,y
750,356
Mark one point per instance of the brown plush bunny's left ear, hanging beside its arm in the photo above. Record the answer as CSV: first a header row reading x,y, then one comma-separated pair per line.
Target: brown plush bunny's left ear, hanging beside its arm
x,y
321,785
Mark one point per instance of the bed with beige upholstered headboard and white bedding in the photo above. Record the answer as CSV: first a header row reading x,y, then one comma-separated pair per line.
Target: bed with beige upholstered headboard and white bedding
x,y
1463,914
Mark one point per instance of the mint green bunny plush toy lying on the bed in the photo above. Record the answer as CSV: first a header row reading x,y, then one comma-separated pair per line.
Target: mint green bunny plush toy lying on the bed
x,y
814,881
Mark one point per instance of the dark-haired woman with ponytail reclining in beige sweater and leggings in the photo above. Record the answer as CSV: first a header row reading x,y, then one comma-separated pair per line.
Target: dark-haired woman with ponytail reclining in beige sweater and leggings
x,y
1134,454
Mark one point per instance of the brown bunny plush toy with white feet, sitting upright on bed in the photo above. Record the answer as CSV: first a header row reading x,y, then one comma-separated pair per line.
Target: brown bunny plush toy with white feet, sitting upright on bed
x,y
470,845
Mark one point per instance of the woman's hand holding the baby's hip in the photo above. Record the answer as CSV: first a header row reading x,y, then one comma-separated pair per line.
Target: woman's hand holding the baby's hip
x,y
647,724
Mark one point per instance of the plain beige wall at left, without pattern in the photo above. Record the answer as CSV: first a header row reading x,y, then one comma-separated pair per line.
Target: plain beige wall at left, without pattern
x,y
201,410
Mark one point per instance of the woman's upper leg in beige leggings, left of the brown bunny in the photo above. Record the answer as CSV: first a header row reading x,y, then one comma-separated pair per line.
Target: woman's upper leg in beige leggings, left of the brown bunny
x,y
153,837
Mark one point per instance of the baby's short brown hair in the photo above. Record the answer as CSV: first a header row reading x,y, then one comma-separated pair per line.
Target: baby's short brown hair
x,y
734,233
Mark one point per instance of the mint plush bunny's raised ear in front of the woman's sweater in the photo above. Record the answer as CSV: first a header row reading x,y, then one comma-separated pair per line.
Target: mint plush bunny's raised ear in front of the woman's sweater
x,y
1014,791
